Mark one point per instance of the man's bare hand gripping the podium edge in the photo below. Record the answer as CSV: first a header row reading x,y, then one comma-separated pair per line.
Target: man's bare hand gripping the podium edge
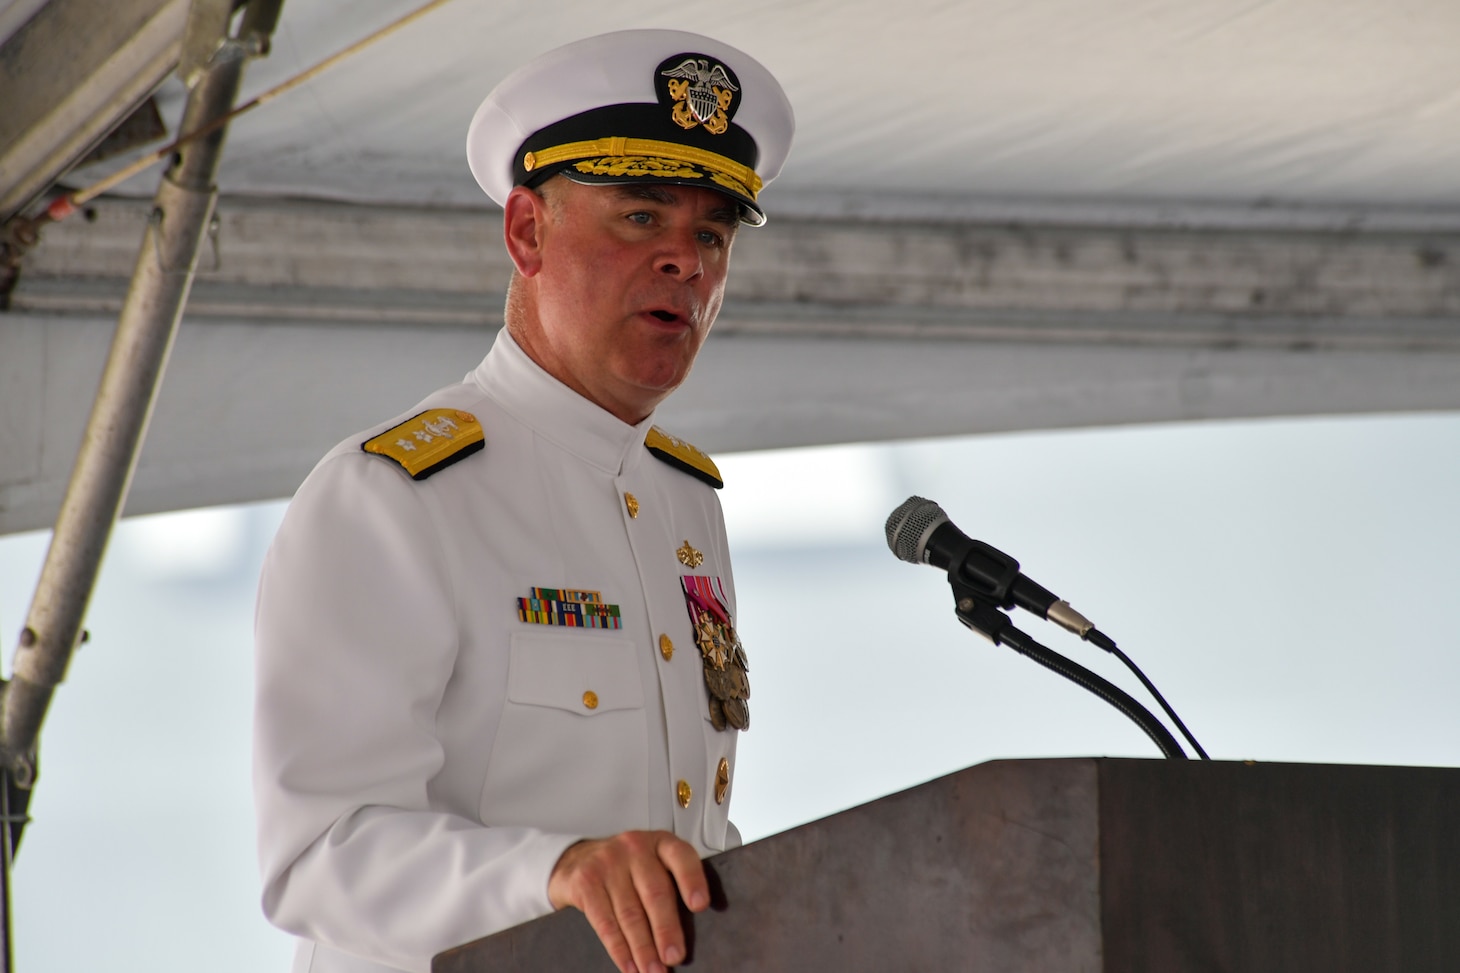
x,y
626,886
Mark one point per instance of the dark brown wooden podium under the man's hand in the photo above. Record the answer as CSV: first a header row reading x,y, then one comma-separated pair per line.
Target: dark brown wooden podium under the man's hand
x,y
1080,866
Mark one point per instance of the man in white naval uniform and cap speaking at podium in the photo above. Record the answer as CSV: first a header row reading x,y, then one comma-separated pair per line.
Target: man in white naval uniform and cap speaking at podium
x,y
497,671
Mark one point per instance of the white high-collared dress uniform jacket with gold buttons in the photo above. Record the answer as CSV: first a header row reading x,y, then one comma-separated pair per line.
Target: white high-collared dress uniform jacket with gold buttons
x,y
423,758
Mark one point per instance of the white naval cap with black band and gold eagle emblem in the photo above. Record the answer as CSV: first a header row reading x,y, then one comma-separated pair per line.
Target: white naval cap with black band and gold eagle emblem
x,y
636,107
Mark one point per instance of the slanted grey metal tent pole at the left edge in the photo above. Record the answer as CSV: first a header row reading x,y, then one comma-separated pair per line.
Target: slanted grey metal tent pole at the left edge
x,y
150,319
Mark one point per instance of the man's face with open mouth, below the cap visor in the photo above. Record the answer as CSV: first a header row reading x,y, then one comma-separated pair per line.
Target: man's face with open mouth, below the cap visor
x,y
626,286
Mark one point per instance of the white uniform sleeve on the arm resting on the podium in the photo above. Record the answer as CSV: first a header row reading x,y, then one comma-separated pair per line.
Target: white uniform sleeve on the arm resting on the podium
x,y
357,641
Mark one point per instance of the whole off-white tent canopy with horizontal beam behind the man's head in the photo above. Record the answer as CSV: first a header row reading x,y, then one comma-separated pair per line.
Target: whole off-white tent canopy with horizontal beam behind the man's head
x,y
995,217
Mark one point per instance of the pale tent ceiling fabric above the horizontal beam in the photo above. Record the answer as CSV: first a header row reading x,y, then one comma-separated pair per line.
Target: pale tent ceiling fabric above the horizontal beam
x,y
1341,102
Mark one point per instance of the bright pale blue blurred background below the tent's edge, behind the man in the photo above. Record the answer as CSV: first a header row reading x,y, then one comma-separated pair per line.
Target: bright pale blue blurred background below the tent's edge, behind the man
x,y
1288,585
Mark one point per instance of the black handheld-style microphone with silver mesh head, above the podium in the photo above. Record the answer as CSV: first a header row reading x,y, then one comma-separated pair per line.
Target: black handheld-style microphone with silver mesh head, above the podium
x,y
921,533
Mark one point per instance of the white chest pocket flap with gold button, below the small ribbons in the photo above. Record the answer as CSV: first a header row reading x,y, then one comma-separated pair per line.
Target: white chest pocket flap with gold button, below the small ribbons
x,y
580,674
